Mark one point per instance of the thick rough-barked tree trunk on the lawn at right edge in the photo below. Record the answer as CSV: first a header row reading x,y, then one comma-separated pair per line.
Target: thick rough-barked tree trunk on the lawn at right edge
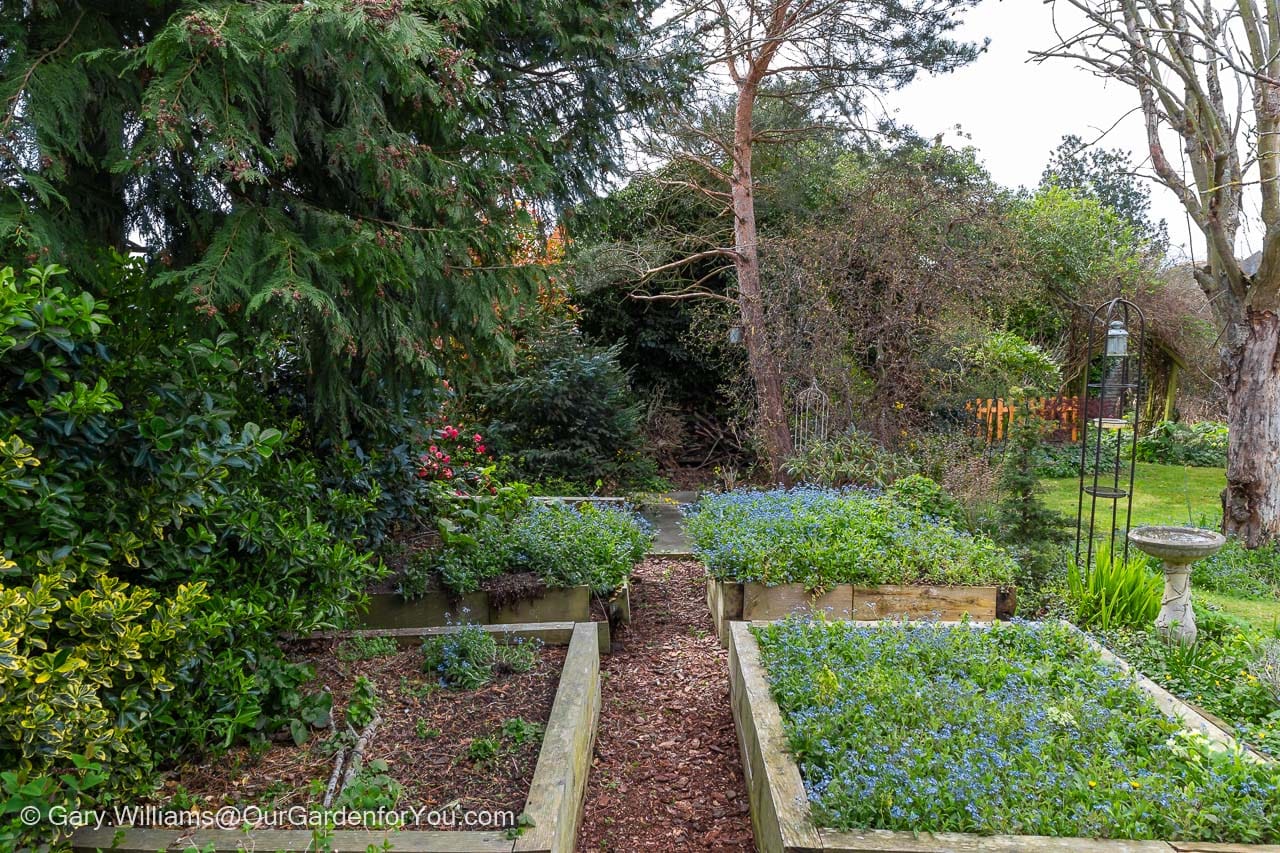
x,y
1251,503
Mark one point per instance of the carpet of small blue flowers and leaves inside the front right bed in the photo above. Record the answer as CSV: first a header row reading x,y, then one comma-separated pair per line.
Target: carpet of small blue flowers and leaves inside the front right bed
x,y
1018,729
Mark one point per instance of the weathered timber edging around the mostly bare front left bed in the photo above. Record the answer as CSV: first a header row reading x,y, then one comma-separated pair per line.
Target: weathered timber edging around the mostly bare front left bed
x,y
556,796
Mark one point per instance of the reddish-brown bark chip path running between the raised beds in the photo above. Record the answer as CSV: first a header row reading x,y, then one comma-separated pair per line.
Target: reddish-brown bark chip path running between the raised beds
x,y
666,774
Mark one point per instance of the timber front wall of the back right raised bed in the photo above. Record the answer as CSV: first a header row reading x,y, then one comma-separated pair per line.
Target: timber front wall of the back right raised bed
x,y
732,601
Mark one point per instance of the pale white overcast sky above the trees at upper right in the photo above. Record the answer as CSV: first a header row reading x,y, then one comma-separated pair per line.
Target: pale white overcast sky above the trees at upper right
x,y
1016,112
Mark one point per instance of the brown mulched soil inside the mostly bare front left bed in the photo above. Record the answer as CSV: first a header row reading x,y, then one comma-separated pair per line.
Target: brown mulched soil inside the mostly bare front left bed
x,y
433,770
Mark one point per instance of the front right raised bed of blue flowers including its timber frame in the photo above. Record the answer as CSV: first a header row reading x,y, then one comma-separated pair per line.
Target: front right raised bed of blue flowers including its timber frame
x,y
921,741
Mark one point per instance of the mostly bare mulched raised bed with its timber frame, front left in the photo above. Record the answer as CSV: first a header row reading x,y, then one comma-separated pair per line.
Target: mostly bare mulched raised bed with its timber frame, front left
x,y
474,749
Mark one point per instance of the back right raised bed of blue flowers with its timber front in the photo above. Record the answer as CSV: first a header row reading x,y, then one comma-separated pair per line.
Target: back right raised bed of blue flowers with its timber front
x,y
848,555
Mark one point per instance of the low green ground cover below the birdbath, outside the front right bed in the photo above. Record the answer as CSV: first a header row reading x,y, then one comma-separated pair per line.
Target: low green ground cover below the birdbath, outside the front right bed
x,y
1220,672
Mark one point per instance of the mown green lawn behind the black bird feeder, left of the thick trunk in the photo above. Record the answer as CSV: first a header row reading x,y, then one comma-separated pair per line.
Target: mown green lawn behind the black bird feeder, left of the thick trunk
x,y
1162,495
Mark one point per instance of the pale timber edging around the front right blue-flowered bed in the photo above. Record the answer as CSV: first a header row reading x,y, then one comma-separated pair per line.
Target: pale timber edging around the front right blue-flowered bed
x,y
780,809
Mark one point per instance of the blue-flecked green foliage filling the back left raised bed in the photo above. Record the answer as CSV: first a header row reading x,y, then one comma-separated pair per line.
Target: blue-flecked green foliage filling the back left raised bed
x,y
563,544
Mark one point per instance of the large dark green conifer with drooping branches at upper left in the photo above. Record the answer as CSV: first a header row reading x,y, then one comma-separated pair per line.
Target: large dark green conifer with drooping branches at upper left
x,y
342,179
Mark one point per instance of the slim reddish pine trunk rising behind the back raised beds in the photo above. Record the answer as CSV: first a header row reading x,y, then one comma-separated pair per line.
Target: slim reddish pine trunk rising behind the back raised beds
x,y
760,354
